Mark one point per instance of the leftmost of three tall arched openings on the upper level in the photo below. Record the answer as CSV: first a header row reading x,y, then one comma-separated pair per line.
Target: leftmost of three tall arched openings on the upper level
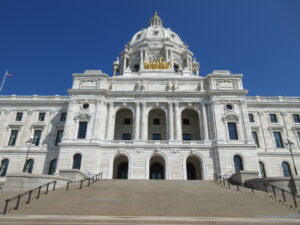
x,y
123,125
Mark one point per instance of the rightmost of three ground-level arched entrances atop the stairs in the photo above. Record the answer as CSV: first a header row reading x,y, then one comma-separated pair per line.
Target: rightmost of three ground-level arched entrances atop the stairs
x,y
193,168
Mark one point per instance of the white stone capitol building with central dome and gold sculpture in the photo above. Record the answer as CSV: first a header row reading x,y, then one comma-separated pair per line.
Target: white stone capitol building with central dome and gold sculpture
x,y
155,117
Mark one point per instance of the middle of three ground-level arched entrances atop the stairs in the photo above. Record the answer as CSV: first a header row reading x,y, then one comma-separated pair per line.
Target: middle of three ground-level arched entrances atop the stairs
x,y
157,168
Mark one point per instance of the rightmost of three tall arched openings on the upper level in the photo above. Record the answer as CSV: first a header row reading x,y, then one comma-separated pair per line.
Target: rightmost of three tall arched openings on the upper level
x,y
190,125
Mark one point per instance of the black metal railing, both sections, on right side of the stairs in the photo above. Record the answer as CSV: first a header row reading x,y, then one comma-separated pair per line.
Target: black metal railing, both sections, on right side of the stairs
x,y
278,193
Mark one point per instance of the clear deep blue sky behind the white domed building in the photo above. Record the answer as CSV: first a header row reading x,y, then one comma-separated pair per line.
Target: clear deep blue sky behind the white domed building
x,y
43,42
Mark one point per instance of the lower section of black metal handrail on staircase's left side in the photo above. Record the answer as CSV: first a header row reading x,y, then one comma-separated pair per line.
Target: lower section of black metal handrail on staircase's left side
x,y
19,196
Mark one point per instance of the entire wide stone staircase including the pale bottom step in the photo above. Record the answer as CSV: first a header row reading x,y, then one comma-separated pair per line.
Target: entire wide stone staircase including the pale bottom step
x,y
152,202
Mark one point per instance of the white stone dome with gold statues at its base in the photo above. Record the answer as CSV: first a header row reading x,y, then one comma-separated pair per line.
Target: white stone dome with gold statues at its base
x,y
156,49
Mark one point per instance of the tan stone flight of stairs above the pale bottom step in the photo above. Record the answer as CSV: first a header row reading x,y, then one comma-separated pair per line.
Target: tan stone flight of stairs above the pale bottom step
x,y
154,198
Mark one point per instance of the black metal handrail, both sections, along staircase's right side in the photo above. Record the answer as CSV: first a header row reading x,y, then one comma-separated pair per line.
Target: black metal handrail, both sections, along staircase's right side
x,y
294,196
